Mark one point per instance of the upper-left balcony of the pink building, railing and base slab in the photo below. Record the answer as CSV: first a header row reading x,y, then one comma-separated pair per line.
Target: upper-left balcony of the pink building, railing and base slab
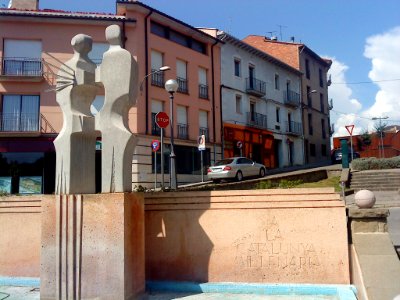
x,y
21,69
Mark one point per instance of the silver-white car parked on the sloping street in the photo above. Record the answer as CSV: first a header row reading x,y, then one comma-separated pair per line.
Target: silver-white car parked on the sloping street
x,y
235,168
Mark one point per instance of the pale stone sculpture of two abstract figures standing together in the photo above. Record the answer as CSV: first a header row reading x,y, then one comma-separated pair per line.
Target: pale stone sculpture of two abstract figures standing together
x,y
77,86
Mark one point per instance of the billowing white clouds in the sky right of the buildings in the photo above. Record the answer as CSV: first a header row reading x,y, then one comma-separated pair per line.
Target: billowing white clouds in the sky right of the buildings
x,y
383,50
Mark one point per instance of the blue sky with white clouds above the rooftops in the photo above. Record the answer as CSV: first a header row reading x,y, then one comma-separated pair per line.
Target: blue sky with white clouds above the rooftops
x,y
362,37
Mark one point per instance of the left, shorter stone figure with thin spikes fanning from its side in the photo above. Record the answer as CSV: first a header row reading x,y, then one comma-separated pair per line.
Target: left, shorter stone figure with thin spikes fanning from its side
x,y
76,142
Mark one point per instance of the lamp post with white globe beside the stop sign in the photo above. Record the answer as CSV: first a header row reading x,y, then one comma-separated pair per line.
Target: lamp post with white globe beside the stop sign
x,y
171,86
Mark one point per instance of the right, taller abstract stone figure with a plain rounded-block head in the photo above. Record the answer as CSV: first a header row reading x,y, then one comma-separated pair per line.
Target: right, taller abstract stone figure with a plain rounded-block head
x,y
119,76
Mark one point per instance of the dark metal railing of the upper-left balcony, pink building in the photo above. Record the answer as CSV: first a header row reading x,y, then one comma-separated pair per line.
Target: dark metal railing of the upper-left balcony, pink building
x,y
20,66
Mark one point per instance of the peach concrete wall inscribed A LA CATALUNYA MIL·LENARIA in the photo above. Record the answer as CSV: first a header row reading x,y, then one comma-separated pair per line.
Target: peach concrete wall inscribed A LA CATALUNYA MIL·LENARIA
x,y
277,236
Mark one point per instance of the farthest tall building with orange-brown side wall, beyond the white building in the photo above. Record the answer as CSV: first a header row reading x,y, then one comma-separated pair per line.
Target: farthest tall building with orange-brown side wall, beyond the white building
x,y
314,93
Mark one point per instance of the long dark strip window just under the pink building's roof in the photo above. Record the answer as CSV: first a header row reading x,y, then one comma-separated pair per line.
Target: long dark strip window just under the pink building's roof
x,y
177,37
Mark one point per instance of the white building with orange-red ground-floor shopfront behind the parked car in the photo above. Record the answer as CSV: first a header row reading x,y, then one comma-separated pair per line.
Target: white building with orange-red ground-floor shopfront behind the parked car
x,y
260,105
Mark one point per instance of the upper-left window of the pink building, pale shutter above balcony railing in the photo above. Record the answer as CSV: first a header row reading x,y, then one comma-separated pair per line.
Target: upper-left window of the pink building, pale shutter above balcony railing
x,y
22,58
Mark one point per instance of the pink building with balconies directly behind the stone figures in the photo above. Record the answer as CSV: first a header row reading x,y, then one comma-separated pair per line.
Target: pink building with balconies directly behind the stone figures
x,y
35,42
